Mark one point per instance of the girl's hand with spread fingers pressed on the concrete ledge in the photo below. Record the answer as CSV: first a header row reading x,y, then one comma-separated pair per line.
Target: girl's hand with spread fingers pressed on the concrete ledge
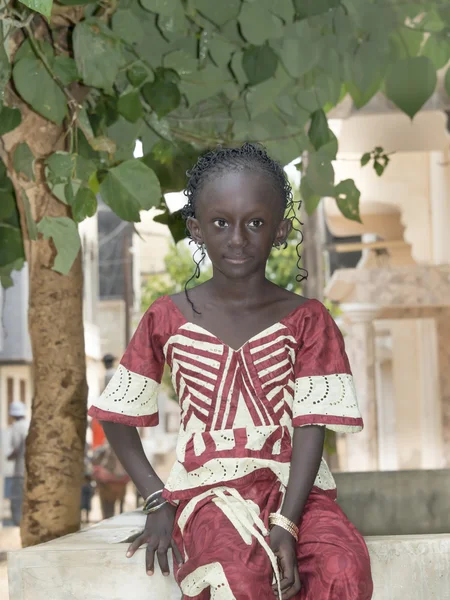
x,y
157,535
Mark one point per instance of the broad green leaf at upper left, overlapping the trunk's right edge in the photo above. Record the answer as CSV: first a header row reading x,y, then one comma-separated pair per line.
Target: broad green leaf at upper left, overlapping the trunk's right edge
x,y
97,53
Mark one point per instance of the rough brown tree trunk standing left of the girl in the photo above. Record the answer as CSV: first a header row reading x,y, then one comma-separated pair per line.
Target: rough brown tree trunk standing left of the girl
x,y
56,441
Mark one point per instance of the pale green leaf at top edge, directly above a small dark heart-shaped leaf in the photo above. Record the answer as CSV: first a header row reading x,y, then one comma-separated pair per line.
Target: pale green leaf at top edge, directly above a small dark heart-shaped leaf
x,y
258,24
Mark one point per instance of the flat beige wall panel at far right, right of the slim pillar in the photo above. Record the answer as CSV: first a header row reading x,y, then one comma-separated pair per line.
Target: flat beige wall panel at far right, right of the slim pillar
x,y
408,395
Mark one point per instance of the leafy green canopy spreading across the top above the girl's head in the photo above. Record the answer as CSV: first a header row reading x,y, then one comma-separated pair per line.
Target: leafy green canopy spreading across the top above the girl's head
x,y
182,76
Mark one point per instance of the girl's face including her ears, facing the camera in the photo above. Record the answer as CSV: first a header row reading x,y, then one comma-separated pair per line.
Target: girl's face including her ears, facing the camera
x,y
238,218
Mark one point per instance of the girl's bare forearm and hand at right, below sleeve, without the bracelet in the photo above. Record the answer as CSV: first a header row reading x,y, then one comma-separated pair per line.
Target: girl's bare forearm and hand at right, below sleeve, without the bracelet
x,y
307,449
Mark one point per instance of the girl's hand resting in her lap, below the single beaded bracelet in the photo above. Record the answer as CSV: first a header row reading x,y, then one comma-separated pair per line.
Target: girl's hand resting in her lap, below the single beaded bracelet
x,y
283,545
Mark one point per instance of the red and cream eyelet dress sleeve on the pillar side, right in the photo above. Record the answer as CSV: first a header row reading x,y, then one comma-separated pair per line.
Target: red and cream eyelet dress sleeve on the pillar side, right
x,y
324,389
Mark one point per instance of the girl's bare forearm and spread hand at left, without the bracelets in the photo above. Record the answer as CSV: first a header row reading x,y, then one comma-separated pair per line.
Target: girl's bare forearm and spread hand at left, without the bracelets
x,y
157,534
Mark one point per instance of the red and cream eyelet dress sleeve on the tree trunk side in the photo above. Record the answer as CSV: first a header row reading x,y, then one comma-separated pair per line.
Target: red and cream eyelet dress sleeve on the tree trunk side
x,y
131,396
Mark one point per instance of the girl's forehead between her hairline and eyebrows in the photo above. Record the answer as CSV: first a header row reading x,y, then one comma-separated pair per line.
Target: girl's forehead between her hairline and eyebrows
x,y
237,189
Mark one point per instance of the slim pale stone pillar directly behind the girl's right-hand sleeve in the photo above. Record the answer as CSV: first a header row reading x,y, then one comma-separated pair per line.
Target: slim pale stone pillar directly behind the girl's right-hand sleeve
x,y
362,448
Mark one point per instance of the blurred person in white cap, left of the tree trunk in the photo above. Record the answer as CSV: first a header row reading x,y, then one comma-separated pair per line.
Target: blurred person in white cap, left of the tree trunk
x,y
17,435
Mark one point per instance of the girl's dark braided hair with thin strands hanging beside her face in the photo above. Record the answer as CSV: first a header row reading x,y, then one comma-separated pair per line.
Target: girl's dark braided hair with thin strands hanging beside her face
x,y
249,156
